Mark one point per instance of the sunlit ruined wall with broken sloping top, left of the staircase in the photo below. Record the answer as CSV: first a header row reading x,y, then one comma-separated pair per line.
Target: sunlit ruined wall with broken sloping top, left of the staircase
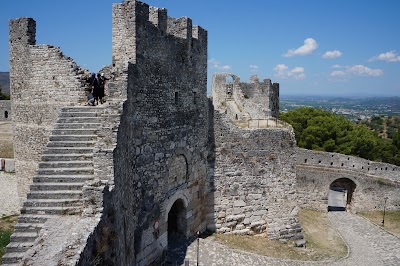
x,y
42,81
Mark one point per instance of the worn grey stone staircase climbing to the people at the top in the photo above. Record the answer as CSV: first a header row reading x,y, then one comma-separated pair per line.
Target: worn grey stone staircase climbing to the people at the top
x,y
67,162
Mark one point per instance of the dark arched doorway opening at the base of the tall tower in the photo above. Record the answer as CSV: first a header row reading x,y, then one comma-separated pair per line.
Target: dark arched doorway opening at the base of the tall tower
x,y
177,224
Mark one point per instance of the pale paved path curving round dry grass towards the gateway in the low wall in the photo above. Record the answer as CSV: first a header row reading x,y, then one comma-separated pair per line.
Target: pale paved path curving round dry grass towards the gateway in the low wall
x,y
368,244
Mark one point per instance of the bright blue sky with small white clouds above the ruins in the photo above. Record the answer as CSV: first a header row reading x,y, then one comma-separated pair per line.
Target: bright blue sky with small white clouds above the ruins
x,y
310,47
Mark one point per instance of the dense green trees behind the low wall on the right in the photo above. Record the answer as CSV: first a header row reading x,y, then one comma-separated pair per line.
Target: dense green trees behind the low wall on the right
x,y
321,130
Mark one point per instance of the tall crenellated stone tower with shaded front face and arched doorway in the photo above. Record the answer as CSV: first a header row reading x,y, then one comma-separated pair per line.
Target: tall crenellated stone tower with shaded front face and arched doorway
x,y
161,151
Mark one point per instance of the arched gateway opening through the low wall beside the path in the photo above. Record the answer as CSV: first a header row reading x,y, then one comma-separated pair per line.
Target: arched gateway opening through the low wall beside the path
x,y
341,192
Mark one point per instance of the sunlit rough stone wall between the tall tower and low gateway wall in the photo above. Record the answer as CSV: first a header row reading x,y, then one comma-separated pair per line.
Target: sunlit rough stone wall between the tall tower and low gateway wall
x,y
253,181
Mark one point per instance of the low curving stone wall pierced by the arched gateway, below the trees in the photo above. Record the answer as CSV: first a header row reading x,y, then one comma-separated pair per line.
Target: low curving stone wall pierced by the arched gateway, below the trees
x,y
316,171
